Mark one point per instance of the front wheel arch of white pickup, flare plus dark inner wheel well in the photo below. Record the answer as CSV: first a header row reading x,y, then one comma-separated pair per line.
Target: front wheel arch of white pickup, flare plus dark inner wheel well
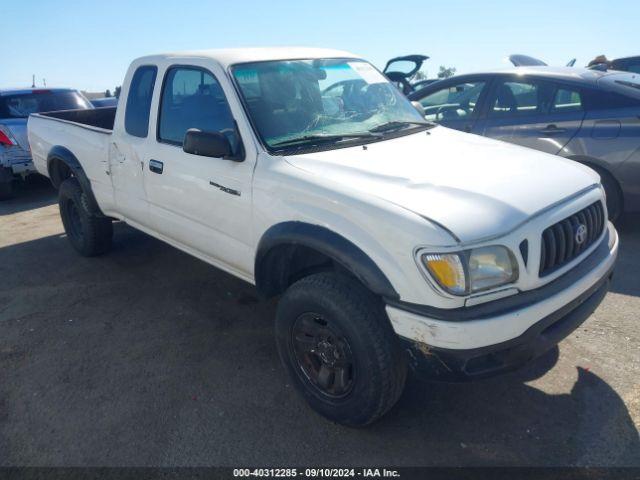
x,y
289,251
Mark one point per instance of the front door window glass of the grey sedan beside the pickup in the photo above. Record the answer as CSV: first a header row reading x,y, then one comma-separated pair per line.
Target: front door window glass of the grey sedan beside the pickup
x,y
455,102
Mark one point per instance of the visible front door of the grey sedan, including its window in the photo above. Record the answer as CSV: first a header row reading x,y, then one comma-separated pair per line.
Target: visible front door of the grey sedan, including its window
x,y
454,103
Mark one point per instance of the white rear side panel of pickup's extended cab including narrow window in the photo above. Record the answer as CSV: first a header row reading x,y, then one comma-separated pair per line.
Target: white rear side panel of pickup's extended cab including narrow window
x,y
129,144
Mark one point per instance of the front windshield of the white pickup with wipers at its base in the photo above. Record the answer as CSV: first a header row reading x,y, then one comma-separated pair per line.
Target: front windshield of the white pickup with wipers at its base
x,y
322,101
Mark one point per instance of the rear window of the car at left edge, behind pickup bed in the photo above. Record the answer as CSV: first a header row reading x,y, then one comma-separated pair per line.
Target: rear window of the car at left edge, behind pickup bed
x,y
22,105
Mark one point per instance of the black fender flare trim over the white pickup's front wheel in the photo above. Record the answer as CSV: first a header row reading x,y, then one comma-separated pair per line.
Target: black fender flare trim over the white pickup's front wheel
x,y
325,241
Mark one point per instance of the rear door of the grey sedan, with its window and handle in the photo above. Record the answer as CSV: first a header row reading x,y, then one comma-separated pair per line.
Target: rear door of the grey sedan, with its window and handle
x,y
534,113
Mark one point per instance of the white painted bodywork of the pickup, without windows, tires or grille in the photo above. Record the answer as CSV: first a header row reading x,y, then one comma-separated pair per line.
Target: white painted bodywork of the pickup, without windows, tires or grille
x,y
438,191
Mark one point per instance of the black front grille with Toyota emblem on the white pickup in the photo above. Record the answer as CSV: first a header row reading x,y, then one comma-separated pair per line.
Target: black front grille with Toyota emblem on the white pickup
x,y
568,238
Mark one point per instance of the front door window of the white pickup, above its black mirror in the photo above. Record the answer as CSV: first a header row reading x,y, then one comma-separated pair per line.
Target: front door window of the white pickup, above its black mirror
x,y
193,98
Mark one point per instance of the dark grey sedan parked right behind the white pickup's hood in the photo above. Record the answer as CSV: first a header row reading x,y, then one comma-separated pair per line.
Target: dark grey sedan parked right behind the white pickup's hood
x,y
585,115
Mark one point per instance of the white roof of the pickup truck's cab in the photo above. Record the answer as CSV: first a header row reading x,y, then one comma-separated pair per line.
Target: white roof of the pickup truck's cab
x,y
231,56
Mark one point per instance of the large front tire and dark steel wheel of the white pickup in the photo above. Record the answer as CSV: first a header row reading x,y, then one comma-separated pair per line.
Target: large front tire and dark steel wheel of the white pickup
x,y
330,322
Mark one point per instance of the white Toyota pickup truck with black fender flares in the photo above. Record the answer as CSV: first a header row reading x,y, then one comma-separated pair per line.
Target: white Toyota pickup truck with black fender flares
x,y
391,242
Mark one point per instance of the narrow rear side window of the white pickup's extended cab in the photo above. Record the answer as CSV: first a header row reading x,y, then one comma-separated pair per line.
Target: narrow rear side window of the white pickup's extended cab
x,y
136,120
